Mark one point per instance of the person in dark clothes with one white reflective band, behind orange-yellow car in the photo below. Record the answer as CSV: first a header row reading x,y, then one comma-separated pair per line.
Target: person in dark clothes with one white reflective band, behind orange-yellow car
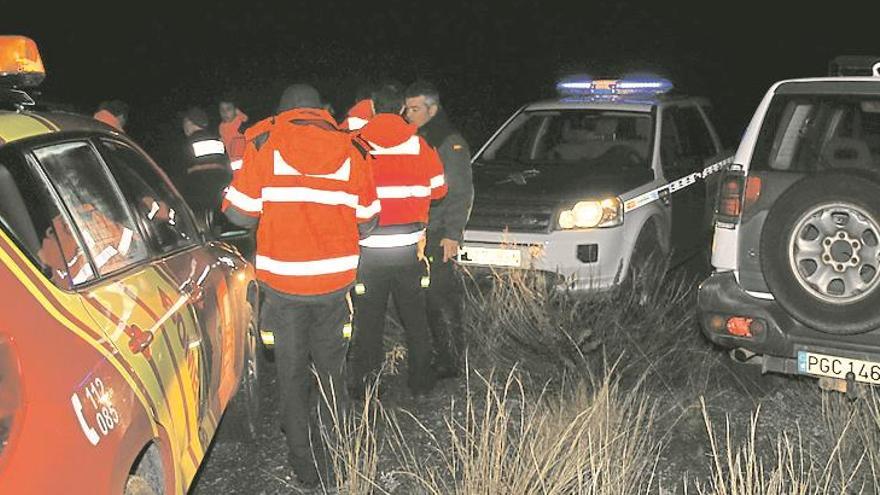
x,y
207,171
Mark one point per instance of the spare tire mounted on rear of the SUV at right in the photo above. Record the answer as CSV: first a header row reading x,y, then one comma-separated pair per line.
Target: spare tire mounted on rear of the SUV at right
x,y
819,226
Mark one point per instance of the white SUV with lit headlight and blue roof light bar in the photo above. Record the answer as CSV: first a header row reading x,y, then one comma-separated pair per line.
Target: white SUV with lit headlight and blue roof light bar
x,y
579,186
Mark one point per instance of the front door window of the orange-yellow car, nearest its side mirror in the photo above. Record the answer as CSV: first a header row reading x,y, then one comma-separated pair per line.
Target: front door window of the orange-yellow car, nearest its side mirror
x,y
151,197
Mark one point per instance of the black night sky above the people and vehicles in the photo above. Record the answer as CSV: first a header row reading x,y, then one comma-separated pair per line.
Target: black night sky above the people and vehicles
x,y
487,58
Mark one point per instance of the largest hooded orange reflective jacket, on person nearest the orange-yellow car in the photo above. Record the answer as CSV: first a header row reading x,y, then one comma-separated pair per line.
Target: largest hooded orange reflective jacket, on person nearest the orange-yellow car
x,y
309,187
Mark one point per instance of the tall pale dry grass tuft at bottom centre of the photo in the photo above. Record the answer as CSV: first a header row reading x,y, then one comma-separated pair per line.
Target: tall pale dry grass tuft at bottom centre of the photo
x,y
506,442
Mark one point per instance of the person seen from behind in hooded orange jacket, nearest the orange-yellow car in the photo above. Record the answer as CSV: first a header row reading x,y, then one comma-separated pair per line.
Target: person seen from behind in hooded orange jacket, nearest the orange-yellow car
x,y
308,189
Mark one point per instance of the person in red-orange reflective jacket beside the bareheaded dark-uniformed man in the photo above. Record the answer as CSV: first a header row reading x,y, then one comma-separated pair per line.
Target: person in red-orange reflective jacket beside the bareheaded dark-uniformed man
x,y
408,175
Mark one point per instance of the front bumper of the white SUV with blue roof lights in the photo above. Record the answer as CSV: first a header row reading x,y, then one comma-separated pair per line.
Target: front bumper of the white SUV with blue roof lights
x,y
586,260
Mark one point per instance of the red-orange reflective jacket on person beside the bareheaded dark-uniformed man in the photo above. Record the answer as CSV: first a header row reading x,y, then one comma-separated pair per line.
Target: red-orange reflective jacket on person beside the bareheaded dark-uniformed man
x,y
408,175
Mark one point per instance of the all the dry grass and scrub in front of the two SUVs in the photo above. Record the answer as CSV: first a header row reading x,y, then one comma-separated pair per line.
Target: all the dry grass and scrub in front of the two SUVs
x,y
517,431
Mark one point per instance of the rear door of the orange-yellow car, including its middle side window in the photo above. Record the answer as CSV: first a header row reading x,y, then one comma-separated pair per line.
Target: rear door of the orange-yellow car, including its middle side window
x,y
124,289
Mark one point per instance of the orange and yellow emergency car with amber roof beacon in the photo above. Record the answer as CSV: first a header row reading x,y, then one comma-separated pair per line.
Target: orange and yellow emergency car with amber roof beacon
x,y
125,332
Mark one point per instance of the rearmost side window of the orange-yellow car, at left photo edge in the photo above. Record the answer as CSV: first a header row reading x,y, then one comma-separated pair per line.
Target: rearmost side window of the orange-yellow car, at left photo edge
x,y
32,218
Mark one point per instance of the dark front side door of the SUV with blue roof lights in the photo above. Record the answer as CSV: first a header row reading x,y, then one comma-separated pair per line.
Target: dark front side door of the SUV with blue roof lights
x,y
686,145
